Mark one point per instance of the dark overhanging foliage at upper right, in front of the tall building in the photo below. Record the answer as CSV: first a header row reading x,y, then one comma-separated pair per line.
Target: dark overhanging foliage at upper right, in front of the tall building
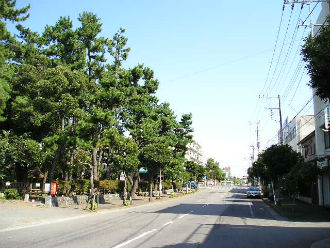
x,y
316,52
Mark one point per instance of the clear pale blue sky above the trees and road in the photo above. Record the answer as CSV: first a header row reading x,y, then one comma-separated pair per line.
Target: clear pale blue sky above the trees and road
x,y
212,58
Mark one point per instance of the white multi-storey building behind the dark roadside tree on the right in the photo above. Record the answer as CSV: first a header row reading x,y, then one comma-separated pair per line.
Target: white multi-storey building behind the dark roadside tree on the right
x,y
297,129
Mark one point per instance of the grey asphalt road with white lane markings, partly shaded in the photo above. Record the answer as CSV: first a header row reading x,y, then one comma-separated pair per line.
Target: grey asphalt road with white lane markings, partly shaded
x,y
217,217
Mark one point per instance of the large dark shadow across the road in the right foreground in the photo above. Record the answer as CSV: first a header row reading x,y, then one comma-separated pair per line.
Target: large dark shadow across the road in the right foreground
x,y
256,236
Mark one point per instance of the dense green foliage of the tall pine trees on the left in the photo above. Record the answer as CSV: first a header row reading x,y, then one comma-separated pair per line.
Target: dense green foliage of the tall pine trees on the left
x,y
69,109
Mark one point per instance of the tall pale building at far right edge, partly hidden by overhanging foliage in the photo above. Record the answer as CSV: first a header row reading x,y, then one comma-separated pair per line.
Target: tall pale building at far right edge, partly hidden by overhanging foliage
x,y
322,134
